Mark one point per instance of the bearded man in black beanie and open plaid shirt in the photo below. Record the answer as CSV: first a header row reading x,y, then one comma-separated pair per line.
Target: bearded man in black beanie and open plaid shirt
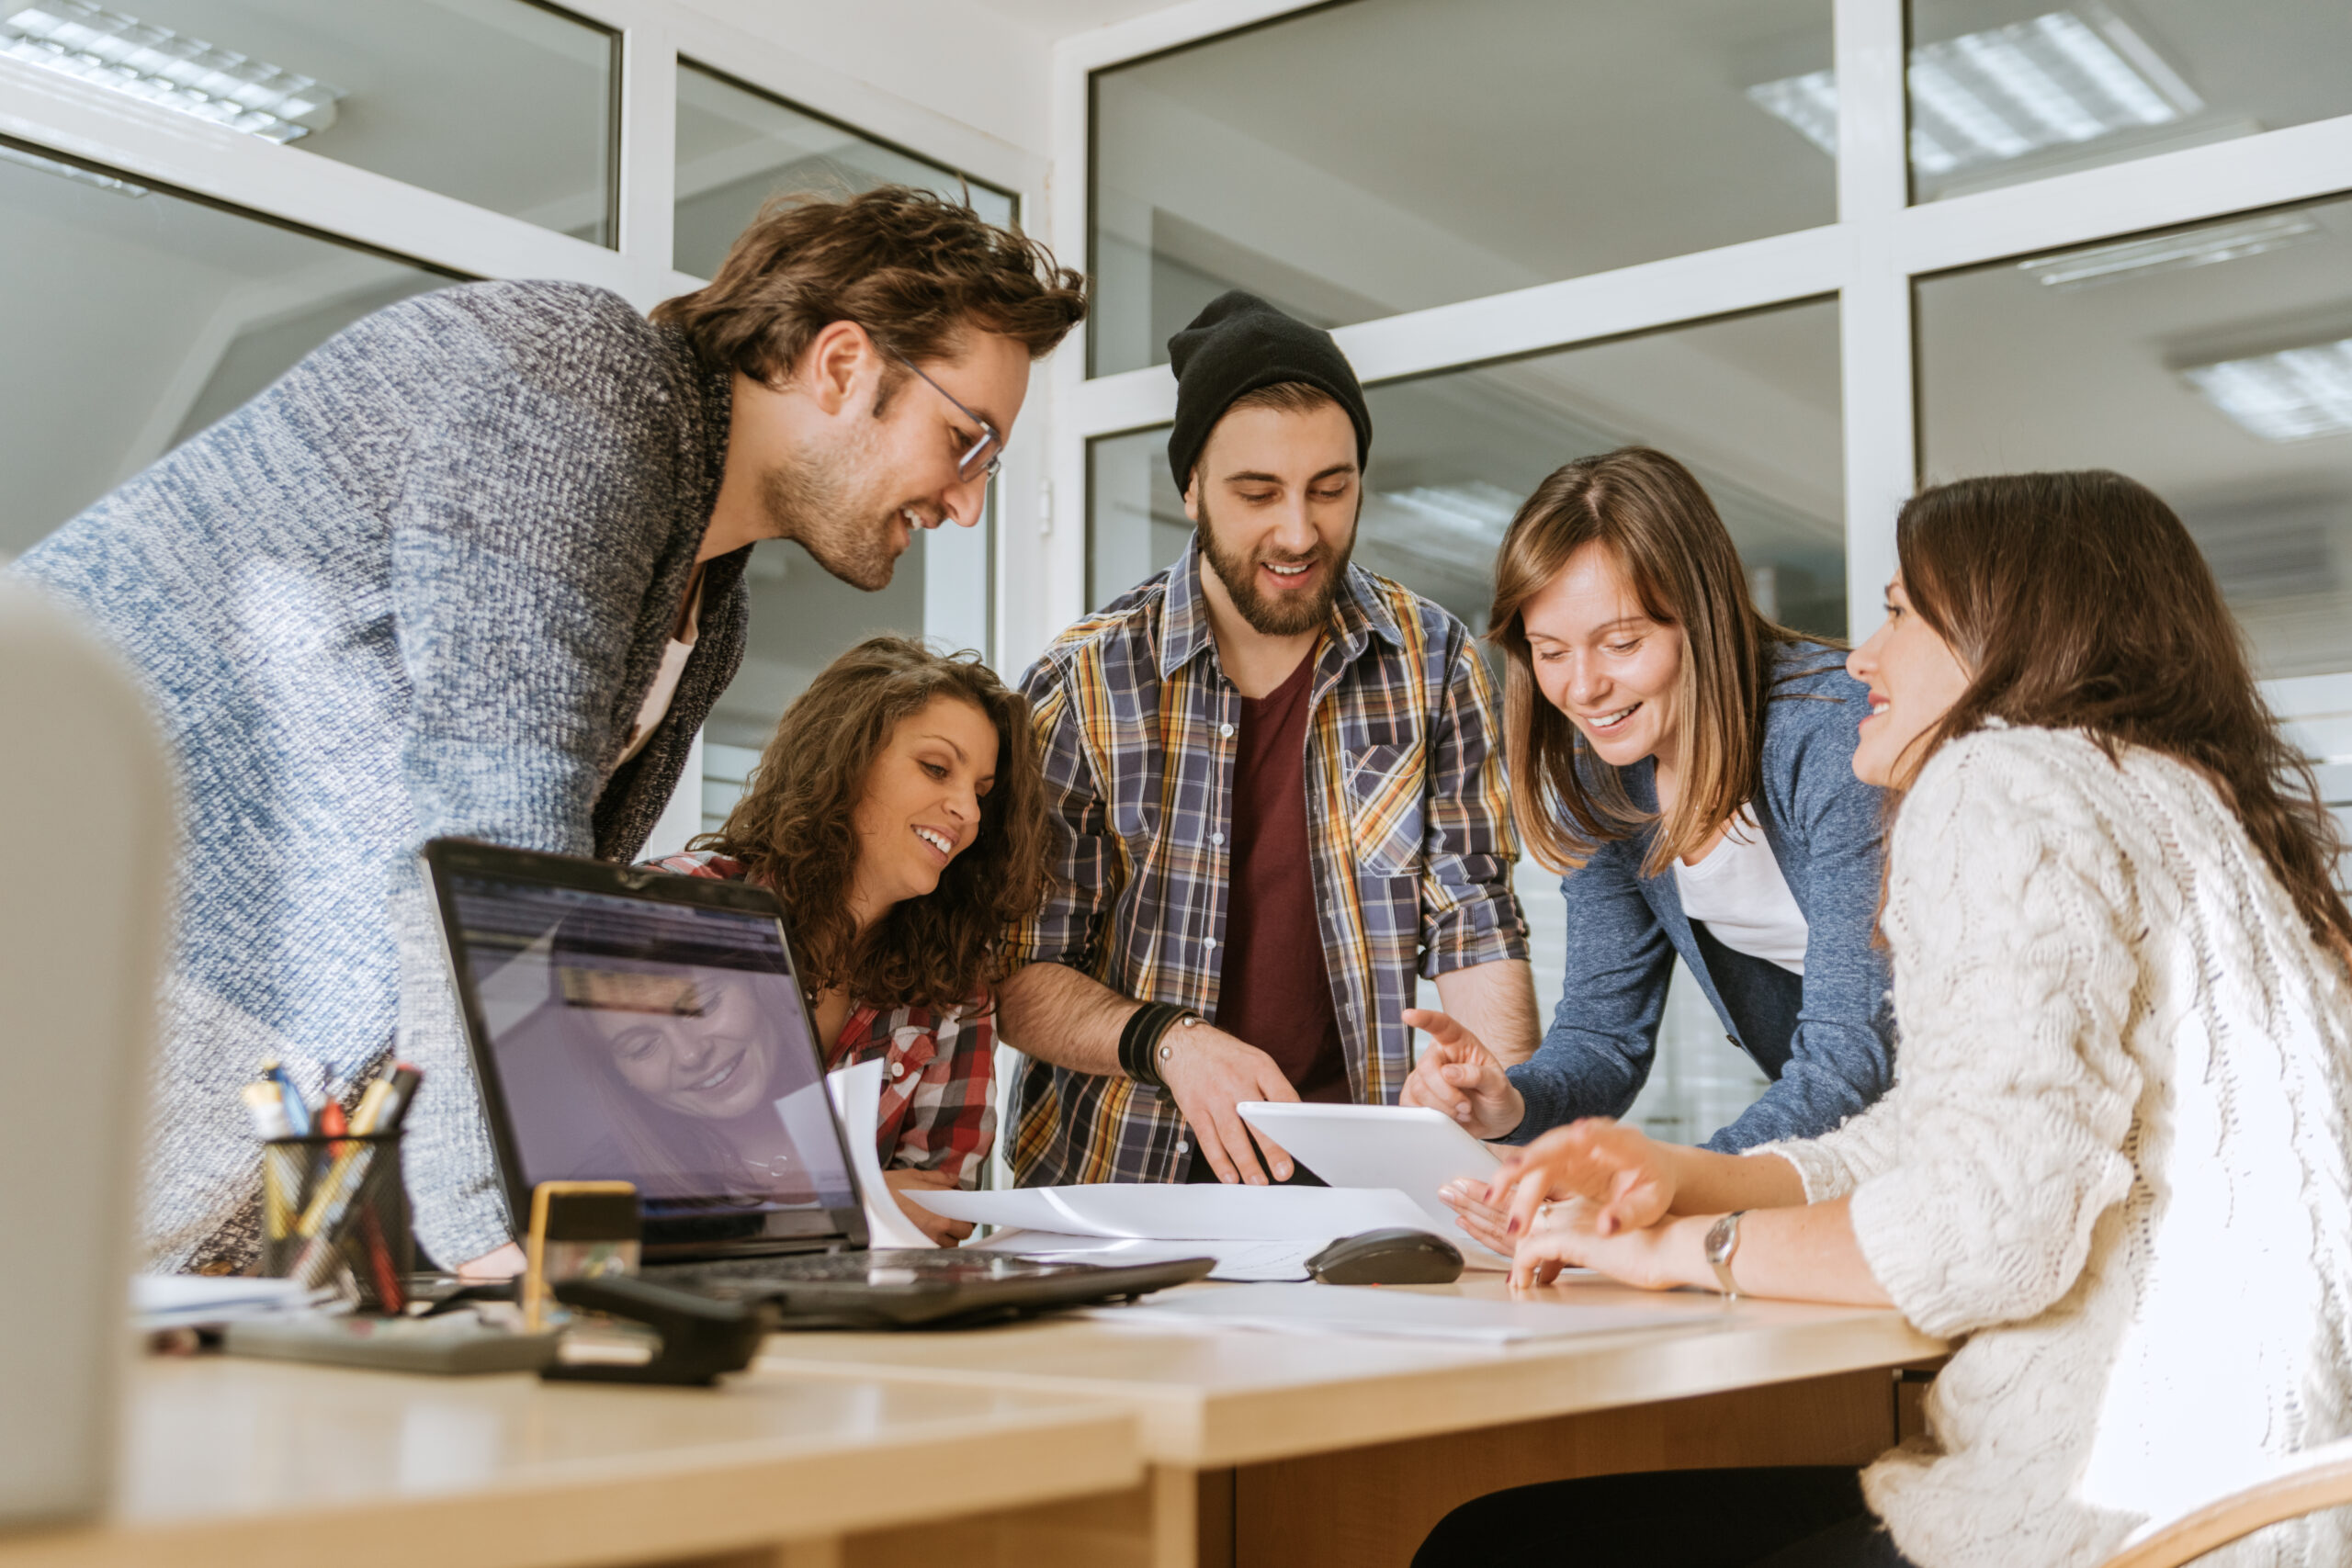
x,y
1276,798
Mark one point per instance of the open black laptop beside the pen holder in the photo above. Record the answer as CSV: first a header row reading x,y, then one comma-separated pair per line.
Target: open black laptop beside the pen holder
x,y
650,1028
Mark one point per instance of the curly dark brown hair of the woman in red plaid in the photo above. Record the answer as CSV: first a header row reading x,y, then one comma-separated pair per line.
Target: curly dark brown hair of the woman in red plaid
x,y
794,831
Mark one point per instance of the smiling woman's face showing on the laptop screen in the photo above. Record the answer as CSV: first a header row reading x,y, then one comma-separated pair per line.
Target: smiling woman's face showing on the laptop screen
x,y
690,1045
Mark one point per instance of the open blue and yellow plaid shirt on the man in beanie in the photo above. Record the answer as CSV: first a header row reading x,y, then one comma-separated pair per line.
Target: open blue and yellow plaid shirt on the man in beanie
x,y
1408,826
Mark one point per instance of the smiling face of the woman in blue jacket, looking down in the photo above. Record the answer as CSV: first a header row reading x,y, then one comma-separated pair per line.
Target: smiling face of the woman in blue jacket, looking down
x,y
1603,659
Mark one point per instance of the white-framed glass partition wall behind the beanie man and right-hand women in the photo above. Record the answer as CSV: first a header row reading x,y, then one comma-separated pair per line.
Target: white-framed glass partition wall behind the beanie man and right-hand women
x,y
1819,250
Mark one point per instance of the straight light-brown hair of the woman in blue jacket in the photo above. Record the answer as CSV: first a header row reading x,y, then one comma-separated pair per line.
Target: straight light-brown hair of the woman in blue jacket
x,y
1664,530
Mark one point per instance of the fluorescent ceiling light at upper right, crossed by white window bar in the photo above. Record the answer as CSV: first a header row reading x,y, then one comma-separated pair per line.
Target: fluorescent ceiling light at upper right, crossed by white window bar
x,y
1989,98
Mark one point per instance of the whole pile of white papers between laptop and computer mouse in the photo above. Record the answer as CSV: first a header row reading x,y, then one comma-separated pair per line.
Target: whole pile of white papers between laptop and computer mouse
x,y
1255,1233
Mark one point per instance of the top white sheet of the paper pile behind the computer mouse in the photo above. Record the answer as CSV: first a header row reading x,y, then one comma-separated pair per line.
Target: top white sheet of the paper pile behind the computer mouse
x,y
1154,1212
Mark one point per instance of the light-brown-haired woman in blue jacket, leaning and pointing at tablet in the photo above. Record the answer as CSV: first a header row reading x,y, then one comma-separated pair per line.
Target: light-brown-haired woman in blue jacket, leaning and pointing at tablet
x,y
1688,765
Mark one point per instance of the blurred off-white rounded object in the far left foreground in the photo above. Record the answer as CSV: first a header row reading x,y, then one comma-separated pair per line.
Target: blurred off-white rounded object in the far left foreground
x,y
86,897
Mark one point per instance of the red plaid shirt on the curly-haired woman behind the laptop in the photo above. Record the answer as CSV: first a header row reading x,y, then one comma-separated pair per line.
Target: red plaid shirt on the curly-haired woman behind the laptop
x,y
940,1108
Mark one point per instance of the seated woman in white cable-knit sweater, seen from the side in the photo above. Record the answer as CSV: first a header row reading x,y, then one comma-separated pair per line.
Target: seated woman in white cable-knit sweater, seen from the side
x,y
2116,1158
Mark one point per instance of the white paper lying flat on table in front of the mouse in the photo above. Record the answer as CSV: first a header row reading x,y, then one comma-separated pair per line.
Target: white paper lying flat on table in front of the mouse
x,y
1394,1315
